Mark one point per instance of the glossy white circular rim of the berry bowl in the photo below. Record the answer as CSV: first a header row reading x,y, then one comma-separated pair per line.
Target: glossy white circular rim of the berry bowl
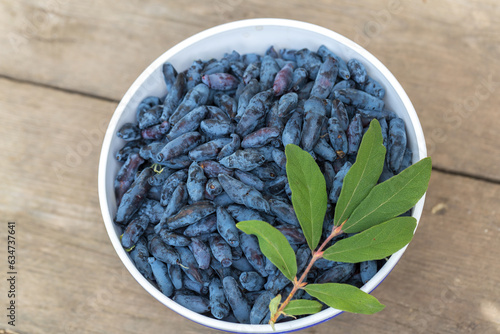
x,y
292,325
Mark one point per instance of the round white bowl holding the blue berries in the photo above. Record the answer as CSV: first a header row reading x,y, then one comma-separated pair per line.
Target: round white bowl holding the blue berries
x,y
255,35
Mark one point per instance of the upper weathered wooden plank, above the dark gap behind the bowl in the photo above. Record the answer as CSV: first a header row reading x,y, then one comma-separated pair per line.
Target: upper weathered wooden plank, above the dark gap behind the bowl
x,y
443,52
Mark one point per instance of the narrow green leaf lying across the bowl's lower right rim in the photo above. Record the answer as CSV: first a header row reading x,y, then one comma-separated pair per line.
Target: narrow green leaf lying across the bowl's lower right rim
x,y
345,297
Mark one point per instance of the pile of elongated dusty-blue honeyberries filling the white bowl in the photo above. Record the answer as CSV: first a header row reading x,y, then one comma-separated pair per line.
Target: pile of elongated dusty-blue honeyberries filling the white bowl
x,y
210,153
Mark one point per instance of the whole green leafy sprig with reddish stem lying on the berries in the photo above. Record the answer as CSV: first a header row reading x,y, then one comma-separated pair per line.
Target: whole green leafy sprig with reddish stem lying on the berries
x,y
363,206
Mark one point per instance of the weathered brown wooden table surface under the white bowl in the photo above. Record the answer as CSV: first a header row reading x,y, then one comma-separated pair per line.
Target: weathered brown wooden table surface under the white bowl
x,y
64,65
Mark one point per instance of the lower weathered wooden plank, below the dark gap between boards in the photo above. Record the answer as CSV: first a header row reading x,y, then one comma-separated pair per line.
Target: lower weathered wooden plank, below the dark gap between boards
x,y
71,281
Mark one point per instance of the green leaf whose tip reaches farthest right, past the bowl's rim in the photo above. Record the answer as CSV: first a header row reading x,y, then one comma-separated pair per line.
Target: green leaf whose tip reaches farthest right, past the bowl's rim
x,y
391,198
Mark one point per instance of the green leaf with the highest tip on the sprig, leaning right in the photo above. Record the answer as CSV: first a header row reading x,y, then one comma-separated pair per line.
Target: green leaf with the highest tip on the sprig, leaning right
x,y
363,175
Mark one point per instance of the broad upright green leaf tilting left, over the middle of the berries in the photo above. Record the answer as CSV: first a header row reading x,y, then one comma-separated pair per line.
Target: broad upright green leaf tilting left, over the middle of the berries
x,y
309,196
